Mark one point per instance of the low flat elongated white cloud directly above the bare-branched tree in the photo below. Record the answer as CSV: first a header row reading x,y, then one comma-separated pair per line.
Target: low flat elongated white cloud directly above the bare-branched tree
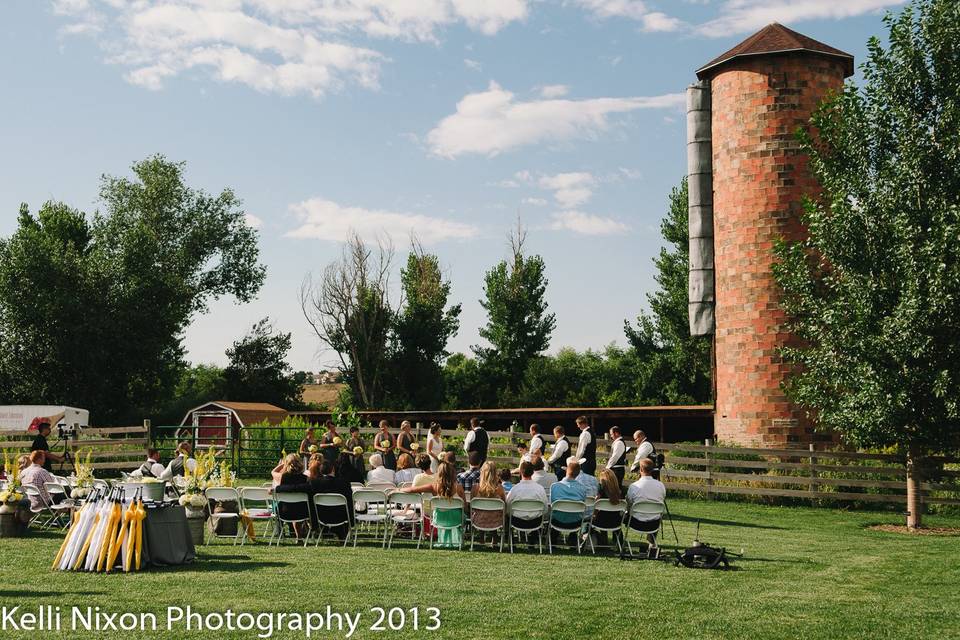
x,y
327,220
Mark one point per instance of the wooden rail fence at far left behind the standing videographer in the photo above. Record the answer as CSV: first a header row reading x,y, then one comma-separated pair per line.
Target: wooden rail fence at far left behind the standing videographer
x,y
111,448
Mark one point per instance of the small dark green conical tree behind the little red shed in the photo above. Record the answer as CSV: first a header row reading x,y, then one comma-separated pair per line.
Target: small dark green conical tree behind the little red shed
x,y
258,370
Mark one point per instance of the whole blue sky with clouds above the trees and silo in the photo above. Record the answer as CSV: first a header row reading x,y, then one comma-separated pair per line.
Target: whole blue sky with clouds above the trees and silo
x,y
450,118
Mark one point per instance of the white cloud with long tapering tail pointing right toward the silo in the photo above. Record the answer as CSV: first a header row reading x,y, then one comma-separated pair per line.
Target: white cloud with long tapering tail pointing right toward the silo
x,y
491,122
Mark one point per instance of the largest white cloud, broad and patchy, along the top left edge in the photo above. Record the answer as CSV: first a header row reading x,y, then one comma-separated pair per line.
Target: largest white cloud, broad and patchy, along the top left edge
x,y
277,46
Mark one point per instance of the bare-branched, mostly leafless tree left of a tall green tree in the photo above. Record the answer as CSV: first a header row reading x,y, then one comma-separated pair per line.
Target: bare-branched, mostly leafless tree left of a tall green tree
x,y
349,309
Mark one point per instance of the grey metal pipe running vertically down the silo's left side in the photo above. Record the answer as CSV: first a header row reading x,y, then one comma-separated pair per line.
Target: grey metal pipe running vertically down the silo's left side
x,y
700,209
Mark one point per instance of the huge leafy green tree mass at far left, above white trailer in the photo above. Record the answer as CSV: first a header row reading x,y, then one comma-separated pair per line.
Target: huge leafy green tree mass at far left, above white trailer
x,y
92,311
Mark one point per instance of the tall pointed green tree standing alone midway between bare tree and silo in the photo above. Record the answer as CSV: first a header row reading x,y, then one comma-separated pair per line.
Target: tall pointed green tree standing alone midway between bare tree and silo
x,y
518,326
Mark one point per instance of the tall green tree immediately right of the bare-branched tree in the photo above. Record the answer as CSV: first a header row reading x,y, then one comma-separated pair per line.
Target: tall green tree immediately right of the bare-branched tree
x,y
421,331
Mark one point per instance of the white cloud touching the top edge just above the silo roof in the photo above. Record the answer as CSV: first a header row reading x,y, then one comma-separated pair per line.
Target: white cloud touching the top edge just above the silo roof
x,y
740,16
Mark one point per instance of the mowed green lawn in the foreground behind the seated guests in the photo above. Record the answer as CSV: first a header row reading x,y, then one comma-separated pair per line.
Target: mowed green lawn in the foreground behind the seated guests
x,y
806,573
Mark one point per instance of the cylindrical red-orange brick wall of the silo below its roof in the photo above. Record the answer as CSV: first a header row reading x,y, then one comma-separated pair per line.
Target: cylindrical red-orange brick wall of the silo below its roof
x,y
759,176
